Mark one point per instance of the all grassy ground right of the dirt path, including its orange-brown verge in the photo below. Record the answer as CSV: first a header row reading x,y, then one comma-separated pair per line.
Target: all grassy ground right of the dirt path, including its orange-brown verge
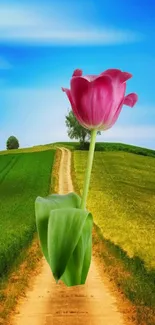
x,y
124,234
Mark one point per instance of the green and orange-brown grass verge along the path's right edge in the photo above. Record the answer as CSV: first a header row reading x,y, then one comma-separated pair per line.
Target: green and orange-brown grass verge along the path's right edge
x,y
129,280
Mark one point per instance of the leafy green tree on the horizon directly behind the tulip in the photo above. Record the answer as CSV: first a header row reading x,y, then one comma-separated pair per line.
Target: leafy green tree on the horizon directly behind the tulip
x,y
76,130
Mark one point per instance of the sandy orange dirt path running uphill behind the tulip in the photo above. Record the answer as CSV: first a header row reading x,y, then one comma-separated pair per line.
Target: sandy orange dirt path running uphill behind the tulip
x,y
51,304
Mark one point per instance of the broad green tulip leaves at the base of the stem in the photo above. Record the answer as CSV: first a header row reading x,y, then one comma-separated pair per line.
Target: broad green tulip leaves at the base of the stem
x,y
65,233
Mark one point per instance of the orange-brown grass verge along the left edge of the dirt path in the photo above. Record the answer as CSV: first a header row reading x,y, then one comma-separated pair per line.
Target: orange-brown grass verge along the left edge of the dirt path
x,y
28,264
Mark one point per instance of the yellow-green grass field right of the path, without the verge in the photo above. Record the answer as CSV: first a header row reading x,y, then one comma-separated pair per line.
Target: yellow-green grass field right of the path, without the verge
x,y
122,200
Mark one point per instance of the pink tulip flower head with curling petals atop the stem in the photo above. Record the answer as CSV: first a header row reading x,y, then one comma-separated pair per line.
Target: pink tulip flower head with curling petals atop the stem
x,y
97,100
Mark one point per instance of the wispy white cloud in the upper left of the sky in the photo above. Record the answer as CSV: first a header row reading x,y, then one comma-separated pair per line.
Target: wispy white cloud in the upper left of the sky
x,y
27,24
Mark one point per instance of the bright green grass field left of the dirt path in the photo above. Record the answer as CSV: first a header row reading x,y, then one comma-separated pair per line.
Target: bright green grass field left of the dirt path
x,y
23,177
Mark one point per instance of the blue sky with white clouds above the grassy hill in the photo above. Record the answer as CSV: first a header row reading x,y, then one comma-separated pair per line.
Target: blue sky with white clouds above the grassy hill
x,y
42,42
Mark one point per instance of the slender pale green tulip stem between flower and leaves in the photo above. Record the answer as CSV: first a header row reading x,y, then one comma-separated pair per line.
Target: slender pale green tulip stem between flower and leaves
x,y
88,169
